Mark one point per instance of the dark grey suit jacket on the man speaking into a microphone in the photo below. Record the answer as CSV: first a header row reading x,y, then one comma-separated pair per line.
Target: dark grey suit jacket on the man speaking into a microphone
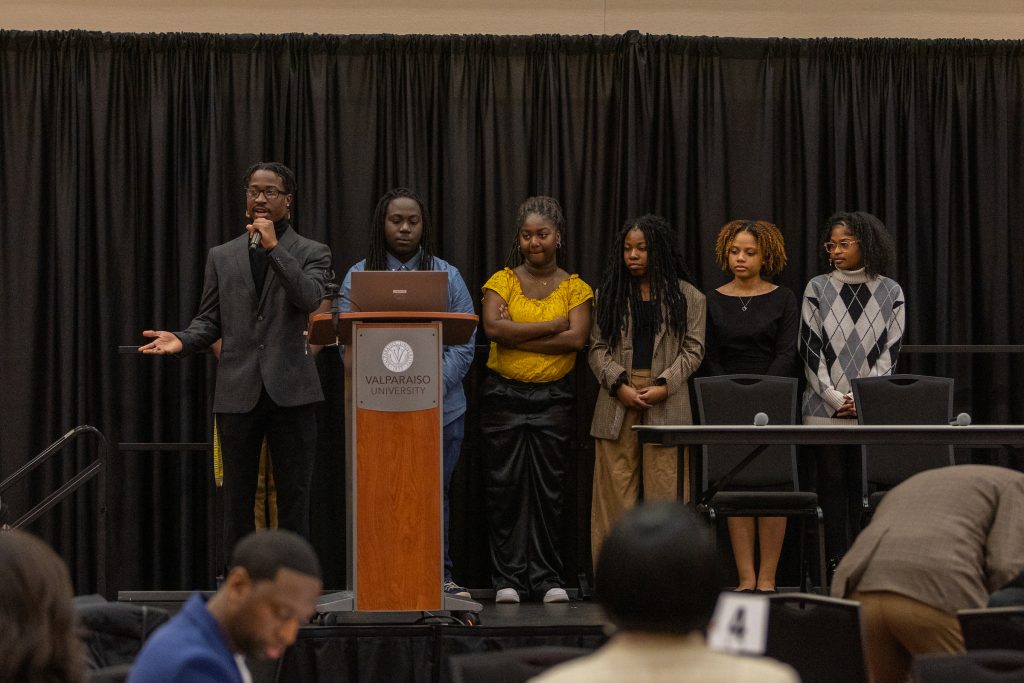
x,y
265,345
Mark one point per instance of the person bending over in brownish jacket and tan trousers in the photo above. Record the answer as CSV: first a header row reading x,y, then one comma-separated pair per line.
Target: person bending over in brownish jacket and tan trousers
x,y
940,542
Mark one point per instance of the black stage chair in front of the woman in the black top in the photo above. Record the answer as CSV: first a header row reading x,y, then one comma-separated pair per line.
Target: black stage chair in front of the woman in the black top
x,y
772,483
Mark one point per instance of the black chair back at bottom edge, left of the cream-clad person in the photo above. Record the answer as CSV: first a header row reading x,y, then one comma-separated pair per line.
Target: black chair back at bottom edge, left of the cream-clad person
x,y
513,666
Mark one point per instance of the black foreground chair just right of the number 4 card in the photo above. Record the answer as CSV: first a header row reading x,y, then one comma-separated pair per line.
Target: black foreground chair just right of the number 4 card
x,y
820,637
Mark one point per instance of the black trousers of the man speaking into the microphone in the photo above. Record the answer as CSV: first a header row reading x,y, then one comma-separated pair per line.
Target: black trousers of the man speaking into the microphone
x,y
292,437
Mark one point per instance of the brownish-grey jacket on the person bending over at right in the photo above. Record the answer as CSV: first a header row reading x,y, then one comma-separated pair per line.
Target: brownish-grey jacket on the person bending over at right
x,y
947,538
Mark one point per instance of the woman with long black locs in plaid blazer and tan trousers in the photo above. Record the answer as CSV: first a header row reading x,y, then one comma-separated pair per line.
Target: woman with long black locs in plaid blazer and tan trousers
x,y
647,341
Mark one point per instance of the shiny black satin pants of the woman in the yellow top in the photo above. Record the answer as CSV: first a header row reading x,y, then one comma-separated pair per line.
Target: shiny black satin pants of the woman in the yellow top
x,y
528,432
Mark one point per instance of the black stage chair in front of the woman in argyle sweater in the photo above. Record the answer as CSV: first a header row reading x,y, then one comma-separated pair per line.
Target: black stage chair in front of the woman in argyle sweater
x,y
901,400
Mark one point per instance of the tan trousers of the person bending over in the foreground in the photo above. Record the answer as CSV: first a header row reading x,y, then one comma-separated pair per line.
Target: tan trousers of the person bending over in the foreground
x,y
897,628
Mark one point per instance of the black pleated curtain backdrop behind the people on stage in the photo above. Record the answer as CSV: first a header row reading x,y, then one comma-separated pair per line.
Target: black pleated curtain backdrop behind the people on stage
x,y
121,163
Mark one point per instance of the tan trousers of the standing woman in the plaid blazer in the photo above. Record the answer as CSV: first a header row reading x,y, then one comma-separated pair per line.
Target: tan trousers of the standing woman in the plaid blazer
x,y
618,465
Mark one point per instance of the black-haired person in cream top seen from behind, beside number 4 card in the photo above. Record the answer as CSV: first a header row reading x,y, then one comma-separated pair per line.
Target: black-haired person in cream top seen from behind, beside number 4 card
x,y
659,579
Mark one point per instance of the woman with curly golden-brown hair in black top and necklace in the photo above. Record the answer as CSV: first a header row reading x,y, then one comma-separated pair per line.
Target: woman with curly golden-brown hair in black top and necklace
x,y
752,330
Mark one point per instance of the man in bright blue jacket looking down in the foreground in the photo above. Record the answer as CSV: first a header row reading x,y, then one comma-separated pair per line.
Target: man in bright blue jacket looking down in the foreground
x,y
272,589
